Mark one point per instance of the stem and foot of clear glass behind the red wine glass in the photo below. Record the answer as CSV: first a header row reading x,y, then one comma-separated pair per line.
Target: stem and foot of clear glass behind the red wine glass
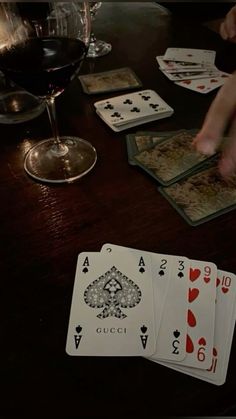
x,y
97,48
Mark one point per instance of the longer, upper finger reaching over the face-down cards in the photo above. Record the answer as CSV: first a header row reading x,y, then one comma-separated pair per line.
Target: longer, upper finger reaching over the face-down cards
x,y
217,118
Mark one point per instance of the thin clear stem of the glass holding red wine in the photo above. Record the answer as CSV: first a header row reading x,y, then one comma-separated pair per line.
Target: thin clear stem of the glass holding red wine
x,y
58,148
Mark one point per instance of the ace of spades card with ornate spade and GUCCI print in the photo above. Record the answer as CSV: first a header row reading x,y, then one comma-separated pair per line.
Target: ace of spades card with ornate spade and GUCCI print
x,y
112,311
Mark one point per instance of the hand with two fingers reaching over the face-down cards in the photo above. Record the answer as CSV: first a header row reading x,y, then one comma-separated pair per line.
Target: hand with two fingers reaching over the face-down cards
x,y
221,115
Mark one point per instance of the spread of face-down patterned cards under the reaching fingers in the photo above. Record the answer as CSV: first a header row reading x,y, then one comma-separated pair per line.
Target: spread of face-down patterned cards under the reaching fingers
x,y
190,181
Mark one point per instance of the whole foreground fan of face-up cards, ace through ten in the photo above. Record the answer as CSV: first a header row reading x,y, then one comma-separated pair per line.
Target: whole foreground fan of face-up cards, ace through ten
x,y
170,309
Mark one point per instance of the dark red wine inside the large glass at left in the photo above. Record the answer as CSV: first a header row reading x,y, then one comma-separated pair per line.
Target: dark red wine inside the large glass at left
x,y
44,66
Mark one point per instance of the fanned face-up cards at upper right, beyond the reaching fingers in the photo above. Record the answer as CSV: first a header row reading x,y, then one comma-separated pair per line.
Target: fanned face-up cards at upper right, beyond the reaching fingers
x,y
192,68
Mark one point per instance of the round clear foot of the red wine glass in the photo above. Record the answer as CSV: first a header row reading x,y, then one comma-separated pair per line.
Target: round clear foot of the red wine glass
x,y
76,158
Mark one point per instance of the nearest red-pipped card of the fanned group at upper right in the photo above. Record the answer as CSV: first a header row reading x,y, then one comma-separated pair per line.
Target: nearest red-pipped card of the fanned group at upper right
x,y
205,85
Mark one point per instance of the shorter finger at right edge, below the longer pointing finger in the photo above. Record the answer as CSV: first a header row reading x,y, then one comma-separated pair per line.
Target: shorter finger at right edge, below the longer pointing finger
x,y
227,164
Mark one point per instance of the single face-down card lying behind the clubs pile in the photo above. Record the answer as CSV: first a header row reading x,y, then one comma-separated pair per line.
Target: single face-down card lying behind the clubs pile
x,y
110,81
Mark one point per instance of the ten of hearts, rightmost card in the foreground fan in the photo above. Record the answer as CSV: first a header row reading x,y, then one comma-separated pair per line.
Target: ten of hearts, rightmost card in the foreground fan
x,y
225,314
